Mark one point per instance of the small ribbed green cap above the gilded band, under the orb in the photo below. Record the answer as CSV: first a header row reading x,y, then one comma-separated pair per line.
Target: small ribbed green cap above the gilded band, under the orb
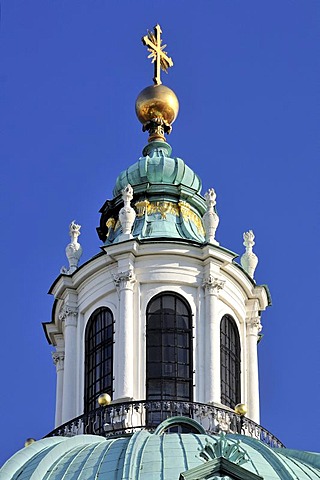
x,y
157,167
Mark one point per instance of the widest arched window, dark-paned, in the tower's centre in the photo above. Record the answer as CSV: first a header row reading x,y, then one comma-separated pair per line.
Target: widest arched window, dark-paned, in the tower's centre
x,y
169,348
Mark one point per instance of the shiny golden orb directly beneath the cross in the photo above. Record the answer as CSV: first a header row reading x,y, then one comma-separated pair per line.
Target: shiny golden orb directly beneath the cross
x,y
157,101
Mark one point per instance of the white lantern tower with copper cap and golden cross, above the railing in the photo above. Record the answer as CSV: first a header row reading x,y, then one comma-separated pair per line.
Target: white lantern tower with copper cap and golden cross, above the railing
x,y
163,315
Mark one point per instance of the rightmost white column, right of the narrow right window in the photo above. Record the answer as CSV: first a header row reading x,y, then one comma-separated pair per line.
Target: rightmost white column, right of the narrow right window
x,y
253,329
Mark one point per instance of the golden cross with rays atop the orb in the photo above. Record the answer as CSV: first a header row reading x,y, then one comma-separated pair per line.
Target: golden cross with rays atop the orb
x,y
159,57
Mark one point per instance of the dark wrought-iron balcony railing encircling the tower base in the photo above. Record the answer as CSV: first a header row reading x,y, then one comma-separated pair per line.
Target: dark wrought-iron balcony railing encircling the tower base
x,y
126,418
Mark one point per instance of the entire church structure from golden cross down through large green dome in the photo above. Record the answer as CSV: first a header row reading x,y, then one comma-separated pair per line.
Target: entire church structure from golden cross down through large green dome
x,y
155,338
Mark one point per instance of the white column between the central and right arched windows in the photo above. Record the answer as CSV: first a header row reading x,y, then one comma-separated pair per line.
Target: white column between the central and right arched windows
x,y
212,286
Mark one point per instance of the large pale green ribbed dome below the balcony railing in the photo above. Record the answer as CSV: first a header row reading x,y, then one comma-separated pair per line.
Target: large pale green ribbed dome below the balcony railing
x,y
146,456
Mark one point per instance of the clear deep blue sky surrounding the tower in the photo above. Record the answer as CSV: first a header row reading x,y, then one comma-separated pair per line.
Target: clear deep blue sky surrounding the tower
x,y
247,75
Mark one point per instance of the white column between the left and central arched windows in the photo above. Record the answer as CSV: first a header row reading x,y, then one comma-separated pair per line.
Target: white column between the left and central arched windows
x,y
124,282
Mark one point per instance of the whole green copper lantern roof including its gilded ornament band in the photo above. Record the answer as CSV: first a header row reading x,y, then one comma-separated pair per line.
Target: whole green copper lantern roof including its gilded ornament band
x,y
166,199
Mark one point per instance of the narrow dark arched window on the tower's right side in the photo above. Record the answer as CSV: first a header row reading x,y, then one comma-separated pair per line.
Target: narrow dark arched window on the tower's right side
x,y
230,362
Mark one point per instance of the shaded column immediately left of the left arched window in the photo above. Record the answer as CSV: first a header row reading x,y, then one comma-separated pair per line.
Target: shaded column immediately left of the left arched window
x,y
69,315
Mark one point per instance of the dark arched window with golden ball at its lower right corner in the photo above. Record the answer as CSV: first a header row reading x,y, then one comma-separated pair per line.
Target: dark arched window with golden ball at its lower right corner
x,y
98,357
